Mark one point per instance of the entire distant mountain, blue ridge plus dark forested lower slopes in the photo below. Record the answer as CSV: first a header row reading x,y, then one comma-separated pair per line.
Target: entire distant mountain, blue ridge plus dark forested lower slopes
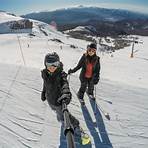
x,y
107,22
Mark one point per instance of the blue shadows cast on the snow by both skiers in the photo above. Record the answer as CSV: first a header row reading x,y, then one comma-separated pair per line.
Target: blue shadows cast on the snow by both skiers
x,y
97,130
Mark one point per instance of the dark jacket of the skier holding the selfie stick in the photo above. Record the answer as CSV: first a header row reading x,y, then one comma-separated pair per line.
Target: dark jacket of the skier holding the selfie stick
x,y
55,85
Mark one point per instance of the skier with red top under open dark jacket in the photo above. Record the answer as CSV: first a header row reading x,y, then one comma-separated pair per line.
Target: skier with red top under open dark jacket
x,y
90,71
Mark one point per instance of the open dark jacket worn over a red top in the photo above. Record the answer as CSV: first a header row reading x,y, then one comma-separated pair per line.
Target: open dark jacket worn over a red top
x,y
82,64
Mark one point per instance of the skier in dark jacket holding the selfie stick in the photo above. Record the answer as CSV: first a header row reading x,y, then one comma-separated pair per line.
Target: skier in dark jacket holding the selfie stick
x,y
56,87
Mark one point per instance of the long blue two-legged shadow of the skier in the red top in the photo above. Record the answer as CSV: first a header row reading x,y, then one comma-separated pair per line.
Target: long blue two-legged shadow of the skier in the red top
x,y
100,136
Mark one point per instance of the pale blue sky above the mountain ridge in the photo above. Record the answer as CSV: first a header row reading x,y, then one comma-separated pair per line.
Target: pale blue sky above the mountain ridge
x,y
27,6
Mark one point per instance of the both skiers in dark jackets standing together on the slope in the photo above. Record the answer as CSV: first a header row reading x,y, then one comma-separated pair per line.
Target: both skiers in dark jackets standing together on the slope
x,y
56,86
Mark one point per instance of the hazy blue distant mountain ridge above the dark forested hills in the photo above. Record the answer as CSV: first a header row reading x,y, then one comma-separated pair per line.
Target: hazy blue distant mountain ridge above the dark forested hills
x,y
83,14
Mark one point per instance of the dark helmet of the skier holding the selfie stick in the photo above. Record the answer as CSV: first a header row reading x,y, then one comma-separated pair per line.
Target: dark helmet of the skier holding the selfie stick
x,y
51,58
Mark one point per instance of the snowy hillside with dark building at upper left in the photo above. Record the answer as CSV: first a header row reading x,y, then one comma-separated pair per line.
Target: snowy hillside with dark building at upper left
x,y
10,23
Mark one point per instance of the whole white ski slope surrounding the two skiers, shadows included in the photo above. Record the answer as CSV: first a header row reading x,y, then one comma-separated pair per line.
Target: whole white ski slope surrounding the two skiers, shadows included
x,y
27,122
